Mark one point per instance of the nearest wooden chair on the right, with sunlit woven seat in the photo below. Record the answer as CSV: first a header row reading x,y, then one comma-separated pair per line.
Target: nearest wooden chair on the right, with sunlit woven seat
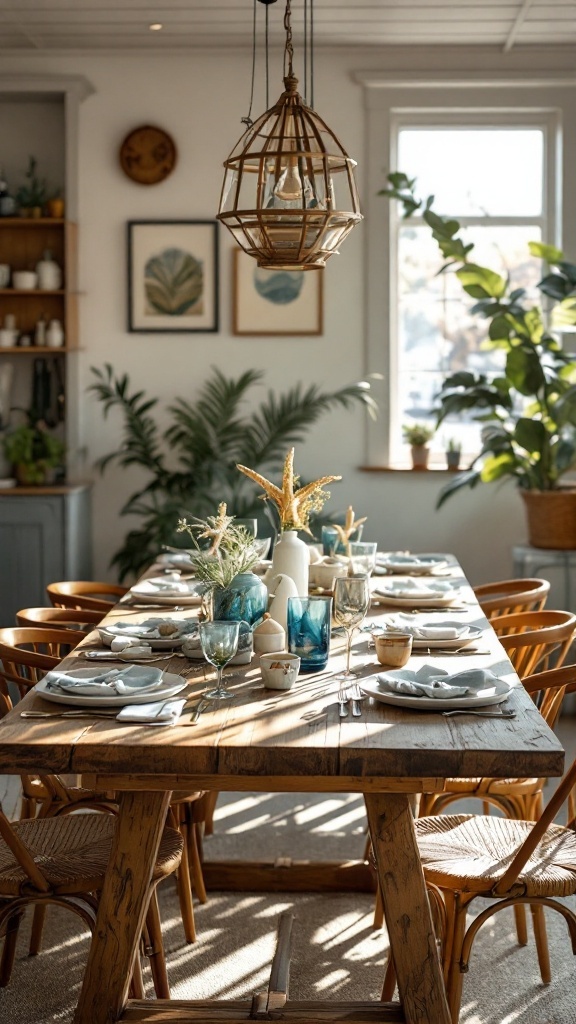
x,y
466,857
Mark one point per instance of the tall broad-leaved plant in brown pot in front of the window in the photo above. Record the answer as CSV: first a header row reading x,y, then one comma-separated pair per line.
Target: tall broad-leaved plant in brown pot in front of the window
x,y
528,411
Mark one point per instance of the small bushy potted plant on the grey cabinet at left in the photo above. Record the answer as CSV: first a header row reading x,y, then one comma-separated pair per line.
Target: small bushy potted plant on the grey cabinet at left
x,y
34,453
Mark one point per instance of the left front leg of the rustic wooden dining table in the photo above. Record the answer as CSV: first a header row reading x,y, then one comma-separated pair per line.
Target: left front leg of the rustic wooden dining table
x,y
122,908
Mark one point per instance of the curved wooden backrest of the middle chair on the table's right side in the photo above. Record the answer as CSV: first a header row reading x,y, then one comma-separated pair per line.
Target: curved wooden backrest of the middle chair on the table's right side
x,y
530,638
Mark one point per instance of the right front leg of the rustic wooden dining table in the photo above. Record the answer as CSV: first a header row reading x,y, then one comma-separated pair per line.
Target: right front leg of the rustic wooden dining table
x,y
407,910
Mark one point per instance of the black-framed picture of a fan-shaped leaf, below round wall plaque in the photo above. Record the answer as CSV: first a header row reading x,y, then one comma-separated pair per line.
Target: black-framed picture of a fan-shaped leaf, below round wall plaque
x,y
173,277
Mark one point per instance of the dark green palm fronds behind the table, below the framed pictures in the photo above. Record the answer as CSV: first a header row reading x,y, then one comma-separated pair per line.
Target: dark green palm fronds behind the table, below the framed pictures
x,y
191,466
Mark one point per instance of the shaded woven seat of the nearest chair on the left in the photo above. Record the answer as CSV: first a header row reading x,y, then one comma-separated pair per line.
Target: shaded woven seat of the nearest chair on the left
x,y
73,854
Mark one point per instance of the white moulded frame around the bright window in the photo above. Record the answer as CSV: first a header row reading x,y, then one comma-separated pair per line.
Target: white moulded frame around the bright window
x,y
548,104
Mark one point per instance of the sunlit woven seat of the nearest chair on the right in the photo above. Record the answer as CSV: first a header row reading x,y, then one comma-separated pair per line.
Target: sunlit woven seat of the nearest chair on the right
x,y
471,854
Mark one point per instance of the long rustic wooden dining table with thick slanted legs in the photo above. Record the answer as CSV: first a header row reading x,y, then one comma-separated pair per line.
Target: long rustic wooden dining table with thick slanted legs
x,y
284,742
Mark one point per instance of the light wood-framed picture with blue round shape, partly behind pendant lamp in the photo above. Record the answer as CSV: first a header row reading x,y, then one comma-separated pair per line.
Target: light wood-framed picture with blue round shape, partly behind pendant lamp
x,y
274,304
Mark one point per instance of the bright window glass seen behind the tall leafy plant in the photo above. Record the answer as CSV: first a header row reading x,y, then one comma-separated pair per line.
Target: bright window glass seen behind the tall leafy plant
x,y
491,180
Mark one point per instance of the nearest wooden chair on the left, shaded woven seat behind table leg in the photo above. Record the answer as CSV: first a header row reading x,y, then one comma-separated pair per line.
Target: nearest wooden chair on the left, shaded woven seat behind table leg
x,y
63,862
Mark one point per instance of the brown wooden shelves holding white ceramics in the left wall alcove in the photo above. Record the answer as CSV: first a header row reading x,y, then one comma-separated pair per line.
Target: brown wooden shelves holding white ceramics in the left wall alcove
x,y
23,241
